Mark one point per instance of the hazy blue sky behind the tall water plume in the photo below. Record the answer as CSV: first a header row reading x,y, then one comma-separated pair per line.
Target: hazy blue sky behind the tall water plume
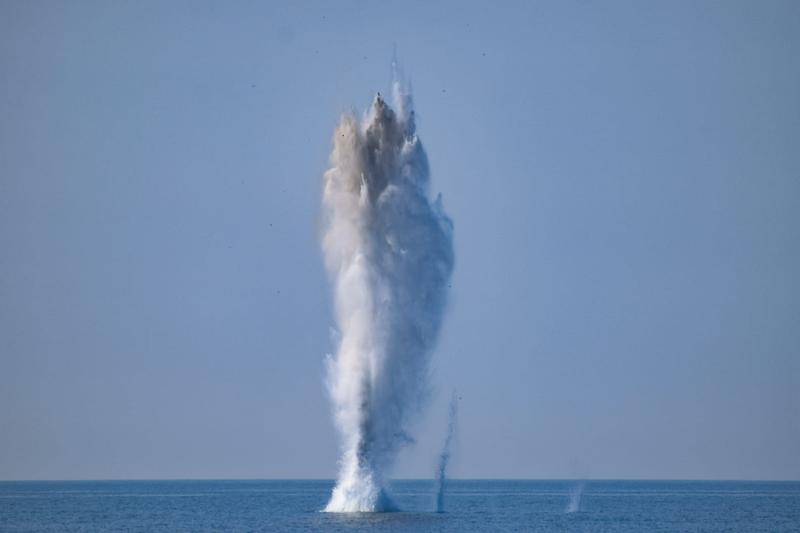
x,y
624,180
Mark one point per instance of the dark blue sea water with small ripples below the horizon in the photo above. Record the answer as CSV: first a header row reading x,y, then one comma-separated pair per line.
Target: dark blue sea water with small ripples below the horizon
x,y
602,506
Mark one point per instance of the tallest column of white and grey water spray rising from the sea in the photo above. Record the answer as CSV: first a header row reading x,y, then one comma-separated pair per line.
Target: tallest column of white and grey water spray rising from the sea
x,y
389,252
